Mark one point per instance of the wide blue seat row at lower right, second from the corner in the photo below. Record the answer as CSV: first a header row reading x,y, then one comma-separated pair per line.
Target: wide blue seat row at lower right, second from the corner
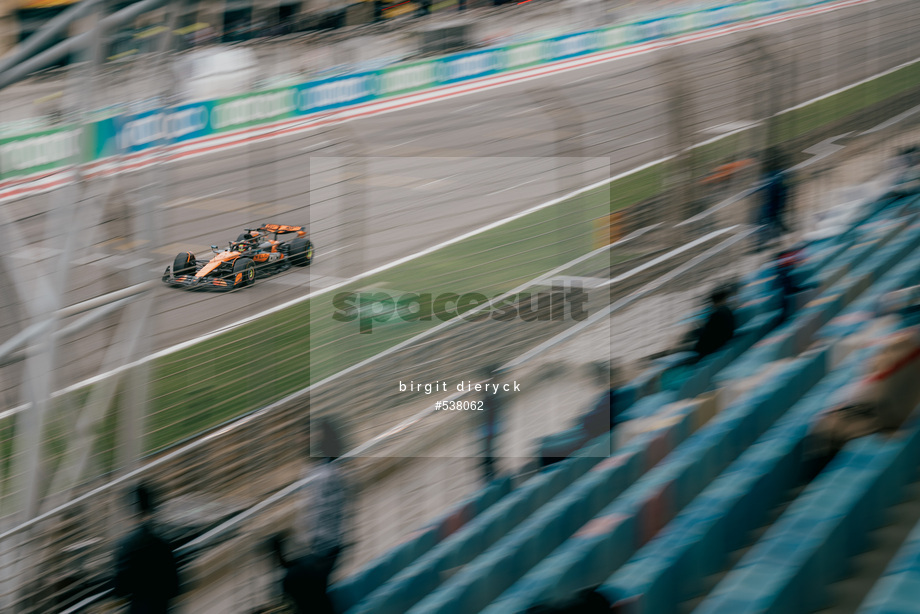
x,y
808,547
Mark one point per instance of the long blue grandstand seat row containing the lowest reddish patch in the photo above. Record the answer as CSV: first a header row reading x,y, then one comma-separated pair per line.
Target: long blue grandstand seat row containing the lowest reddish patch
x,y
634,517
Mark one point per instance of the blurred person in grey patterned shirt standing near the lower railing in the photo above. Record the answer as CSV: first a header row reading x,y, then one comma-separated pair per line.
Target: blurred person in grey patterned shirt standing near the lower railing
x,y
320,522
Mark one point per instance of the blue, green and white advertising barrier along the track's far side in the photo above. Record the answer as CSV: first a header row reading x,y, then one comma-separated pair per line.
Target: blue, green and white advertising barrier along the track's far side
x,y
132,133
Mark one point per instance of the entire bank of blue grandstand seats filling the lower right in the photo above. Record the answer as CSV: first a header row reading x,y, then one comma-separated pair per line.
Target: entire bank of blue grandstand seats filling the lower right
x,y
707,452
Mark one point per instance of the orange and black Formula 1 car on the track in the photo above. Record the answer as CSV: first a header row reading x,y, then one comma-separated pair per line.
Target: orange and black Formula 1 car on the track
x,y
252,255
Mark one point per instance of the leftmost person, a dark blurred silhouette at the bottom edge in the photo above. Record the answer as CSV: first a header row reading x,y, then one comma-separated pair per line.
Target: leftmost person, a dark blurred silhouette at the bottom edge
x,y
146,572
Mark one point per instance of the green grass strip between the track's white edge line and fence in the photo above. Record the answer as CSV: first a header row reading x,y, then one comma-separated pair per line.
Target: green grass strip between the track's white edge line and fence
x,y
265,360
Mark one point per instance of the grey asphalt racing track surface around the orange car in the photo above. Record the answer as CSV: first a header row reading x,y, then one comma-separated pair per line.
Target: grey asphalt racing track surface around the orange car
x,y
435,171
